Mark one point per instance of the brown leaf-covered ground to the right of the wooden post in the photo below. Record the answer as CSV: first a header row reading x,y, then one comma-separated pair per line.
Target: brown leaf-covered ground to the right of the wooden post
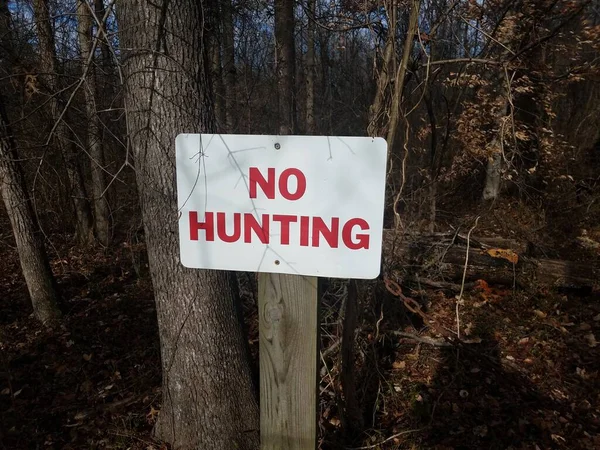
x,y
519,380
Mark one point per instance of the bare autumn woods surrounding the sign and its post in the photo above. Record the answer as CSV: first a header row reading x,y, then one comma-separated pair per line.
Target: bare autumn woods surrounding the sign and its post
x,y
479,332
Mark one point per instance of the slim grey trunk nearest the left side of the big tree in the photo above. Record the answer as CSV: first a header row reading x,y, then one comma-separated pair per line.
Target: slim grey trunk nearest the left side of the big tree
x,y
94,128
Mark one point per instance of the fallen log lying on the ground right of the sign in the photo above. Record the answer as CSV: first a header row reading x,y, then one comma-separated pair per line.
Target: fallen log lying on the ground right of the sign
x,y
441,256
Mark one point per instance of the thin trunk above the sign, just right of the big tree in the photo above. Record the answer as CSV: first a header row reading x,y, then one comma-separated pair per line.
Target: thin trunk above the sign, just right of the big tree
x,y
229,66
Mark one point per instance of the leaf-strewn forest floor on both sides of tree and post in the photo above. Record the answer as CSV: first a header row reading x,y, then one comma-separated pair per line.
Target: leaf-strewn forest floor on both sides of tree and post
x,y
527,378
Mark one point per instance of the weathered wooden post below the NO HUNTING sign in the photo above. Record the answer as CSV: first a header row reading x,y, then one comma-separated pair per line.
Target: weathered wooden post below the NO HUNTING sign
x,y
288,328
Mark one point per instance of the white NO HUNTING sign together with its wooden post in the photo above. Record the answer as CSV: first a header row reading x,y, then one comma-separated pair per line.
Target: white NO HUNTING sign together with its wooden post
x,y
310,206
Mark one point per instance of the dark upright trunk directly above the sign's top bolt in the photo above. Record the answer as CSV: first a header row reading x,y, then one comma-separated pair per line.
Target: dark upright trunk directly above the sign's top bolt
x,y
285,64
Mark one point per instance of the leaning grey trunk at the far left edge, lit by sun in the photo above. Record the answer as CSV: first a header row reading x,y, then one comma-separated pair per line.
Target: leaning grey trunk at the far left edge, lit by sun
x,y
30,245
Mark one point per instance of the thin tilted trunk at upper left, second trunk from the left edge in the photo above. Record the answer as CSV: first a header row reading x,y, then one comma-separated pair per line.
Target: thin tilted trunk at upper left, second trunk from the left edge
x,y
63,134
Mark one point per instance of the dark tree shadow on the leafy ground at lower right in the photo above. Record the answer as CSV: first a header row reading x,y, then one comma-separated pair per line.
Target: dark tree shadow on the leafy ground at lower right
x,y
479,399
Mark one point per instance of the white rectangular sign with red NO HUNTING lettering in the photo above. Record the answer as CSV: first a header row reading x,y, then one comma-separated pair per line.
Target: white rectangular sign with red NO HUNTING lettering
x,y
305,205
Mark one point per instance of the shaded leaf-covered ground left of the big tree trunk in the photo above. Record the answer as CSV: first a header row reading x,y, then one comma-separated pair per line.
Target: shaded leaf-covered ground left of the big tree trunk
x,y
90,382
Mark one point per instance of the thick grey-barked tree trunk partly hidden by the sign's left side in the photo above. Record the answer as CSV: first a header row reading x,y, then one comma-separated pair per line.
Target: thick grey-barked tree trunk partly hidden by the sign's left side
x,y
209,400
